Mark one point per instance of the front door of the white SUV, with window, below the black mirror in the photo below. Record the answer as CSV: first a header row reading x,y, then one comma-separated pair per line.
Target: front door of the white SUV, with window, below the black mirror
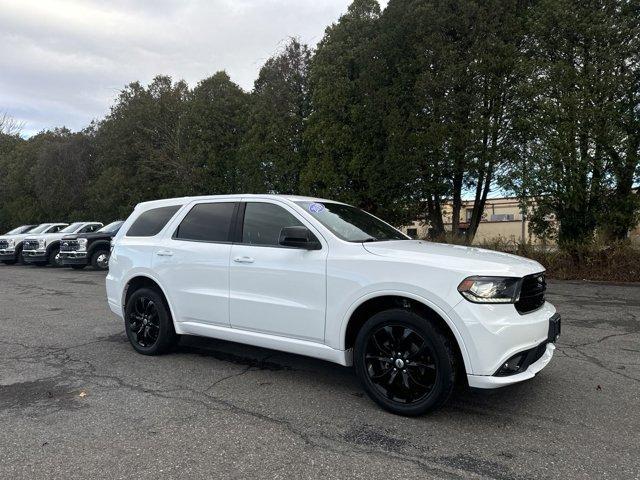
x,y
274,289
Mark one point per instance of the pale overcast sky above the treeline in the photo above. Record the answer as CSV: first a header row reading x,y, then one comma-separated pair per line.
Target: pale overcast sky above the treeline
x,y
62,62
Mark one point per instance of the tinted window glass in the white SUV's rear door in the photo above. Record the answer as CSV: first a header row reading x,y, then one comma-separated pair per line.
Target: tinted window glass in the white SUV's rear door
x,y
207,222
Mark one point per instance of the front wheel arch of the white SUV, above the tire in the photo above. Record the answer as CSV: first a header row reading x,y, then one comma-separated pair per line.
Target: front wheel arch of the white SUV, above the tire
x,y
367,306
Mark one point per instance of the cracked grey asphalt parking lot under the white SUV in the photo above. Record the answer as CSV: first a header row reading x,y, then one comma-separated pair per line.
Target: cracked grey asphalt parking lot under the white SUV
x,y
77,402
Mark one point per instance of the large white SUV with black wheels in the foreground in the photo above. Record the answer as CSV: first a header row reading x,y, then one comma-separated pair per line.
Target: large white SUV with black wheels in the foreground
x,y
321,278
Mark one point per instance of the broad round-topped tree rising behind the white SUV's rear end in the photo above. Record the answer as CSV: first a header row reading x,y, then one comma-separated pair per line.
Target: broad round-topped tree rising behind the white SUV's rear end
x,y
138,147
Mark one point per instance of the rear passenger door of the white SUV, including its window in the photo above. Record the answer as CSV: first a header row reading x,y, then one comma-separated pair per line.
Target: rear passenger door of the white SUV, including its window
x,y
193,262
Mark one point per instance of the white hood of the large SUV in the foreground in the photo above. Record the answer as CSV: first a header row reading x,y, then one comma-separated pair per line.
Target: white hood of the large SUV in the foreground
x,y
470,260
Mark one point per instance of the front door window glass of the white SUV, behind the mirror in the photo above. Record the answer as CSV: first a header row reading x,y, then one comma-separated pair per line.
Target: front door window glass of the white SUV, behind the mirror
x,y
263,223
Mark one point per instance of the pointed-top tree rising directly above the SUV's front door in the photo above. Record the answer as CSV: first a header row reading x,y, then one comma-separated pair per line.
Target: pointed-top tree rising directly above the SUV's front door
x,y
274,151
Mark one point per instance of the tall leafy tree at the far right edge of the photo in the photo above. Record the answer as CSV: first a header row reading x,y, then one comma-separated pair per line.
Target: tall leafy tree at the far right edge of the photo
x,y
583,117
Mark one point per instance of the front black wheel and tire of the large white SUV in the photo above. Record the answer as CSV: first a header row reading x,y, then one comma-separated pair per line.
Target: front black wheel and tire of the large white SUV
x,y
414,373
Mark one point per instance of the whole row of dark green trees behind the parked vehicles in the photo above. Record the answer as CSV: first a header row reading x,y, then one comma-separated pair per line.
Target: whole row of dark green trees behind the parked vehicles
x,y
396,112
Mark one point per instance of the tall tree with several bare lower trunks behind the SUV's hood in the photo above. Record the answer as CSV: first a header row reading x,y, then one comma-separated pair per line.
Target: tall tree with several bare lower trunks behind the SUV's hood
x,y
451,83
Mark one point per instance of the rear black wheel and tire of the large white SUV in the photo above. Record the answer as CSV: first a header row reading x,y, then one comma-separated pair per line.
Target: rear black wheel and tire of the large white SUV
x,y
149,328
